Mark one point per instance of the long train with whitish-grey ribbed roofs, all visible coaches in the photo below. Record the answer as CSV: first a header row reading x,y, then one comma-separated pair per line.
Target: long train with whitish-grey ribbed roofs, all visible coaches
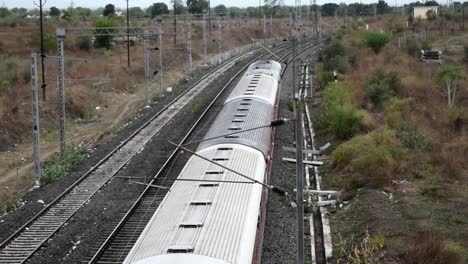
x,y
211,214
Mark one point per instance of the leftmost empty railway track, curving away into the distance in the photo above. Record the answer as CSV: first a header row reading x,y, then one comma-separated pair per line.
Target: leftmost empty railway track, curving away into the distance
x,y
22,244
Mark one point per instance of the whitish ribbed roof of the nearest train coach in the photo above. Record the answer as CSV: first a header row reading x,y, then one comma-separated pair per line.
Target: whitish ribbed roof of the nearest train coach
x,y
207,218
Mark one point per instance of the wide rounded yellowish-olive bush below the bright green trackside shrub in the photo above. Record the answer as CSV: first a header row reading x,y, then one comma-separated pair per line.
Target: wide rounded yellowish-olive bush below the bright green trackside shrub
x,y
371,159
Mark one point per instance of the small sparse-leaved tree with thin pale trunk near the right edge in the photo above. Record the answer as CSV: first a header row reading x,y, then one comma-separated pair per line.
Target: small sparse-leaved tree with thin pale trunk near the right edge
x,y
450,76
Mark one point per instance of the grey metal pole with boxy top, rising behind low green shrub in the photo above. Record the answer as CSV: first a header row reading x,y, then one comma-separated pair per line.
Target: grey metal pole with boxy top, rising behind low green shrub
x,y
60,34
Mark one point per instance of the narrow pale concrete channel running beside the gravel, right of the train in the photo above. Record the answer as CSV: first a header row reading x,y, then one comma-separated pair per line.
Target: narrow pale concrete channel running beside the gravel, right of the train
x,y
317,221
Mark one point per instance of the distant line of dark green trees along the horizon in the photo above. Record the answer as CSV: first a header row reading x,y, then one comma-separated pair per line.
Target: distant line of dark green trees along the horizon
x,y
269,7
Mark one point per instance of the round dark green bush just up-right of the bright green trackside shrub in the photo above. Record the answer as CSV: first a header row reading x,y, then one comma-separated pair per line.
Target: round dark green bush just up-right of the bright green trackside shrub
x,y
382,86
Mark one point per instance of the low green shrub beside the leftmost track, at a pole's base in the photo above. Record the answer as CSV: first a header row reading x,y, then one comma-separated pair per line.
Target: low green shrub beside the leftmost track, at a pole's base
x,y
58,166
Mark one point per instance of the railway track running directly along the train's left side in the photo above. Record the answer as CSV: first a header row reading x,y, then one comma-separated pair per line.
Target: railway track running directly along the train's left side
x,y
119,242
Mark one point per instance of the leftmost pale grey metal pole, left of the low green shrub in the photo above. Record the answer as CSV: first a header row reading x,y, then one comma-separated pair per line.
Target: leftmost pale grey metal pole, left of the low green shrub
x,y
35,105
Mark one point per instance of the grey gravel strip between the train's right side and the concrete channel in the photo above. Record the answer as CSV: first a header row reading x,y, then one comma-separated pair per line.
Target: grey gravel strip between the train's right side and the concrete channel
x,y
279,243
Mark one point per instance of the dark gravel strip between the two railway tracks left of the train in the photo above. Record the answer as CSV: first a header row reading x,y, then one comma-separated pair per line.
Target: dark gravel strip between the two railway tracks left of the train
x,y
76,241
